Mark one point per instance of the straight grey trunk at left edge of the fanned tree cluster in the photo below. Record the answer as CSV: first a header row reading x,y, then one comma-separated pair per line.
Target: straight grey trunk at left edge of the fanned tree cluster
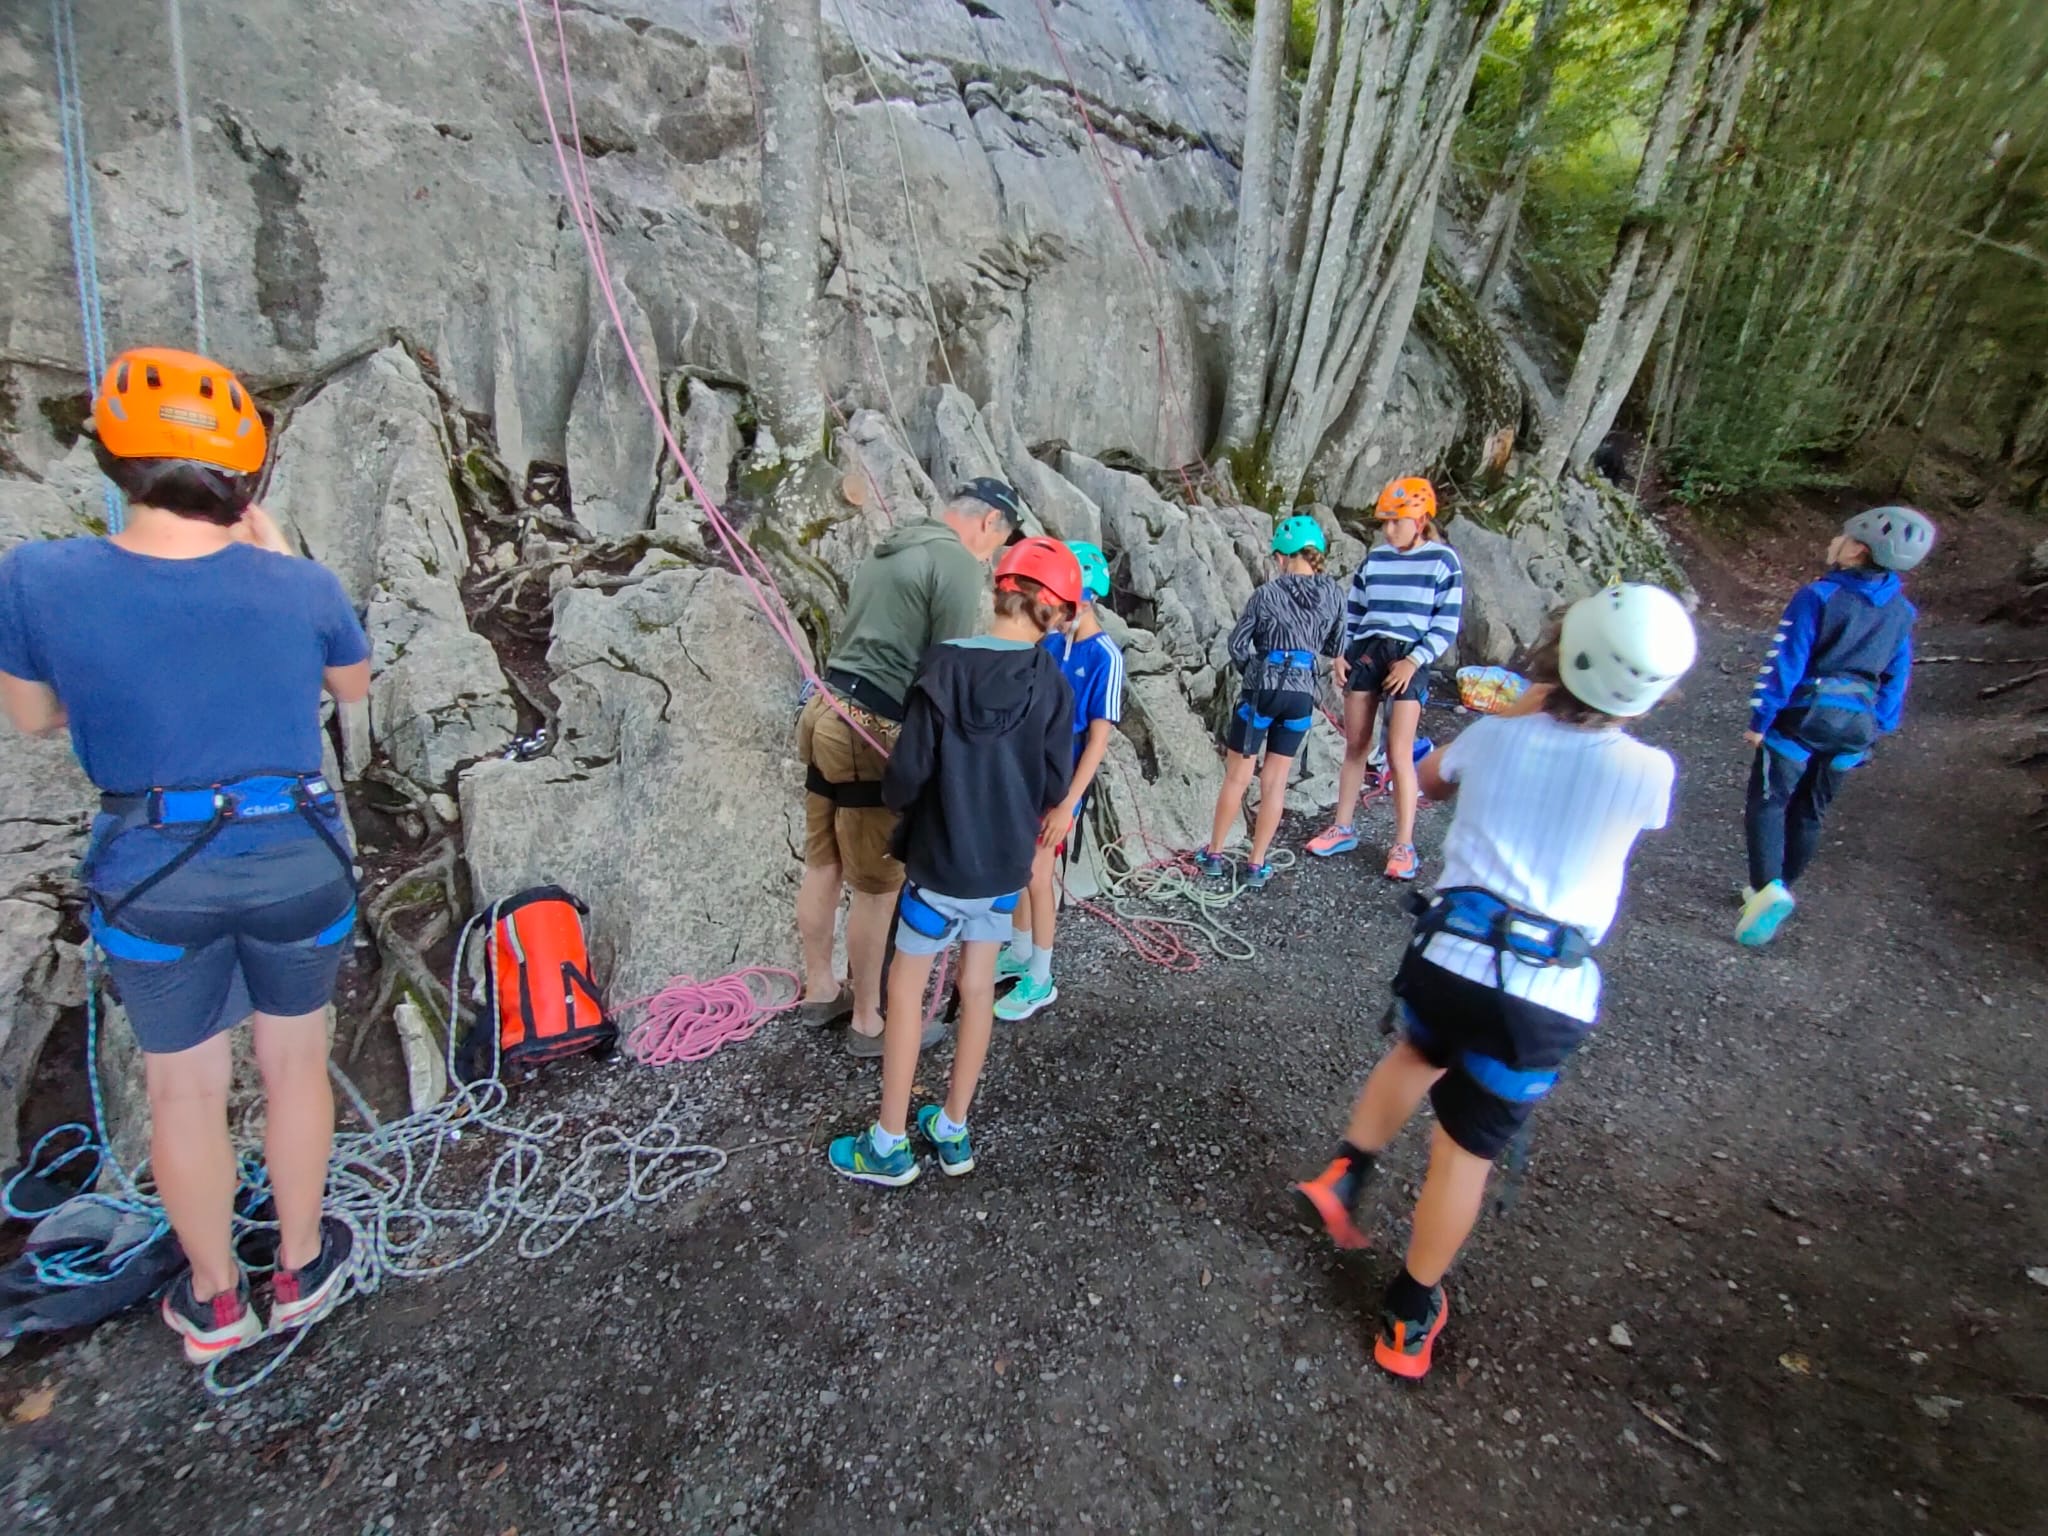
x,y
1252,282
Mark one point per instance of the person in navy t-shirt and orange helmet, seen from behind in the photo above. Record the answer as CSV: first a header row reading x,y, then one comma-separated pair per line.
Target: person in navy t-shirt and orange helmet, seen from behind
x,y
187,656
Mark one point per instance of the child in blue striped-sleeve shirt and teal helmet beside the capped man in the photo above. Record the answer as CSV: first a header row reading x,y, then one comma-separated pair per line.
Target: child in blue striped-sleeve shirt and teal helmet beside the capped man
x,y
1095,671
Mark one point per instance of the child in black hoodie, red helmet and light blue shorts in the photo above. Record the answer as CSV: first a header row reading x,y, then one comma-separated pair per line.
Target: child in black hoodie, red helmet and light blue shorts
x,y
986,753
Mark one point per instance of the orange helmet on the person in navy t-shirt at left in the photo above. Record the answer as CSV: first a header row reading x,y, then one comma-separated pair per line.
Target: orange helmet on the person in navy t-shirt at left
x,y
165,404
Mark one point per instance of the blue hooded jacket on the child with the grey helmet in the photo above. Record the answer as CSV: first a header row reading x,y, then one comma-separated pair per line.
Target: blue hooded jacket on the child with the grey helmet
x,y
1852,624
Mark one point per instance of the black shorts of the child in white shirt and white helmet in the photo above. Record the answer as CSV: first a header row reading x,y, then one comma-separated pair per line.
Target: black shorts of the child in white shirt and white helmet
x,y
1455,1021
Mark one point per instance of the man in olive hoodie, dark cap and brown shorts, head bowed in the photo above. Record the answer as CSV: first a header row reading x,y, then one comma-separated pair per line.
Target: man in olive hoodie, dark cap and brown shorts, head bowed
x,y
921,587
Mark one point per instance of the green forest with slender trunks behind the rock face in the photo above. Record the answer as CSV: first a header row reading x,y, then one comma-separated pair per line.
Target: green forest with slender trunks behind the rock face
x,y
1793,243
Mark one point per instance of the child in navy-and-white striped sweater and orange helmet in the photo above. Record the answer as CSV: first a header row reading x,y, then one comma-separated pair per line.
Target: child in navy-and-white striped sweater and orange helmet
x,y
1400,620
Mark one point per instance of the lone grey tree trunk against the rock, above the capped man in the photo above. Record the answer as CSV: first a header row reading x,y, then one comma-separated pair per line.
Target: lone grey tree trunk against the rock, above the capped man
x,y
790,386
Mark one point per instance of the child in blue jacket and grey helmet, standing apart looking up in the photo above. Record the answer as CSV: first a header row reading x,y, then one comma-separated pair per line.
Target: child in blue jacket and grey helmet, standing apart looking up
x,y
1832,685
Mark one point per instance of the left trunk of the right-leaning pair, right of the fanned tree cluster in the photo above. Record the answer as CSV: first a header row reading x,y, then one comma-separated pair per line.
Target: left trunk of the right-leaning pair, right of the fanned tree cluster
x,y
1566,433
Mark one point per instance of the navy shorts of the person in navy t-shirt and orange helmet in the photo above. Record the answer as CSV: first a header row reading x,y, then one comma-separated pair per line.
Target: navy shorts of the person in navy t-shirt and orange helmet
x,y
261,931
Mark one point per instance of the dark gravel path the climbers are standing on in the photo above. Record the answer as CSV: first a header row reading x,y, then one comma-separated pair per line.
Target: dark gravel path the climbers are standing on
x,y
1805,1183
